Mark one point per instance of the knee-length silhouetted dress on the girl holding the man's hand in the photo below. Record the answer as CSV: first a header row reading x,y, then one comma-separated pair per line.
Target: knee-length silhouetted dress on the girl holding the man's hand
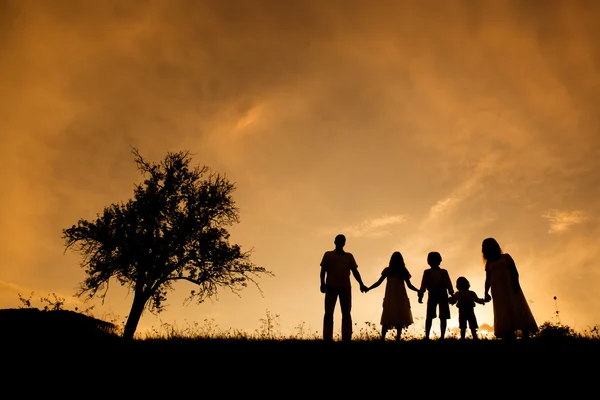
x,y
396,306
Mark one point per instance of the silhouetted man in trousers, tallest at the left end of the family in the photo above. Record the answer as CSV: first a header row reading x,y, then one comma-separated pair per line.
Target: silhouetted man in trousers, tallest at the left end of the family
x,y
336,266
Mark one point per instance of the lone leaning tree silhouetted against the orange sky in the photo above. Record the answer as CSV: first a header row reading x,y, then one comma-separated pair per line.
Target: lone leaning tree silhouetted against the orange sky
x,y
173,229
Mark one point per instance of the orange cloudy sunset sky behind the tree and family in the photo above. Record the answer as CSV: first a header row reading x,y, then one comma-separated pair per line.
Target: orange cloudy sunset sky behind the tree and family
x,y
409,126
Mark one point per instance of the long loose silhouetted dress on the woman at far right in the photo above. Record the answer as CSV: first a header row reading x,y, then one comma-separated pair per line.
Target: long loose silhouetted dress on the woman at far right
x,y
511,311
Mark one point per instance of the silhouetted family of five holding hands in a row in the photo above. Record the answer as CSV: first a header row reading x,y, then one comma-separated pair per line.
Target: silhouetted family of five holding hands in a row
x,y
511,311
